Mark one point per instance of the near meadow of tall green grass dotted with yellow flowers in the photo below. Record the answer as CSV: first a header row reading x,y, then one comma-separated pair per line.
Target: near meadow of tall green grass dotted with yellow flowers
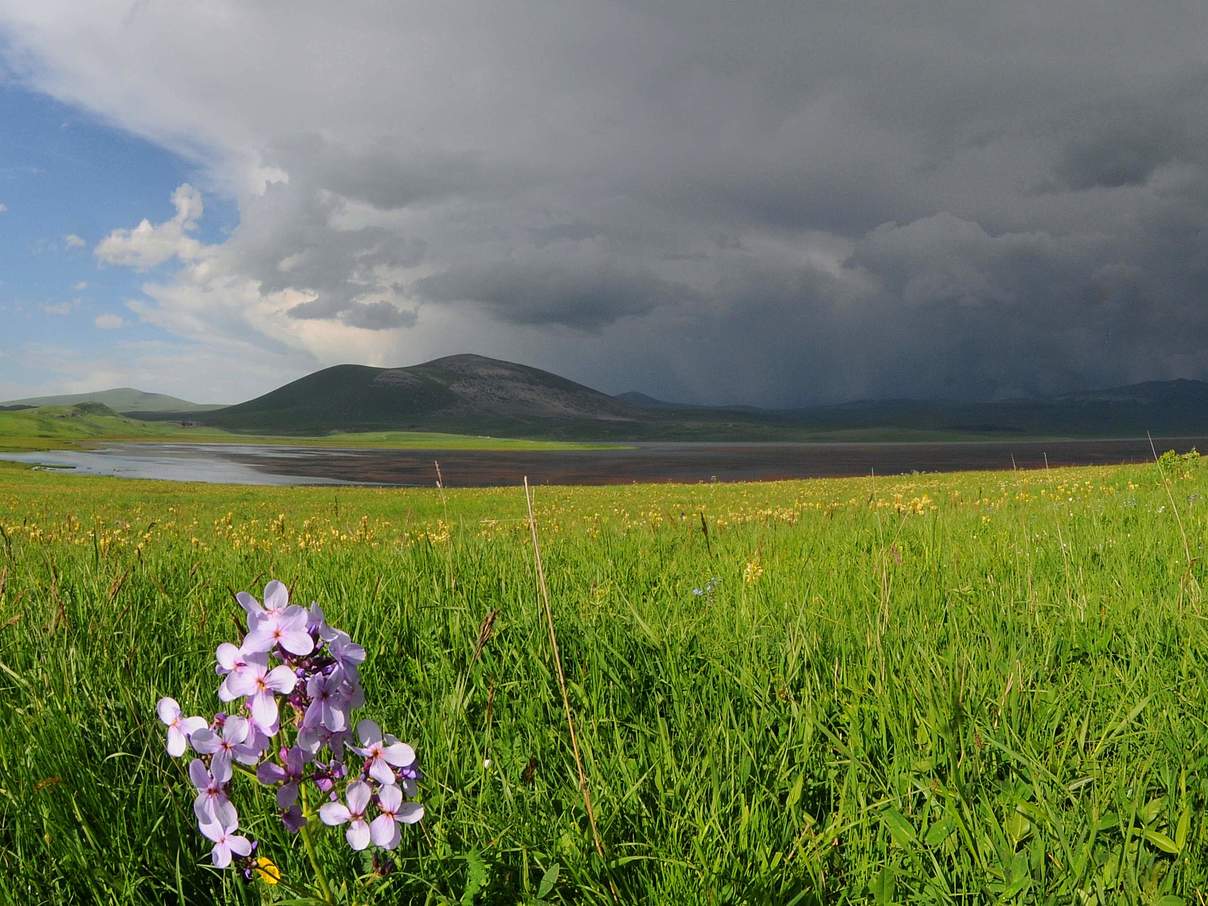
x,y
981,688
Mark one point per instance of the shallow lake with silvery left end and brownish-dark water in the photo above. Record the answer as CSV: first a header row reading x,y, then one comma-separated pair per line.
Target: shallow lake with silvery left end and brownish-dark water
x,y
248,464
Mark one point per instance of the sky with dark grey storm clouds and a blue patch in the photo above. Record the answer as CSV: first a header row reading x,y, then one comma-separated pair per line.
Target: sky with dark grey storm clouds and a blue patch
x,y
766,204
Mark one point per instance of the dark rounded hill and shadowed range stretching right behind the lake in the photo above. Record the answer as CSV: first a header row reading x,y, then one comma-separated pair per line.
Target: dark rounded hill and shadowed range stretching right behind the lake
x,y
473,394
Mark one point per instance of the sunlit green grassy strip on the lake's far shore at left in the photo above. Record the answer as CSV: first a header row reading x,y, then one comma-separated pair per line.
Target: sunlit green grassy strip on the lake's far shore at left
x,y
53,427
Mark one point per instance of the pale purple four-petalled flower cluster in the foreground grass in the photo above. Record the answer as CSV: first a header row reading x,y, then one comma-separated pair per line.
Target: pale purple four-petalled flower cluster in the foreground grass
x,y
292,687
